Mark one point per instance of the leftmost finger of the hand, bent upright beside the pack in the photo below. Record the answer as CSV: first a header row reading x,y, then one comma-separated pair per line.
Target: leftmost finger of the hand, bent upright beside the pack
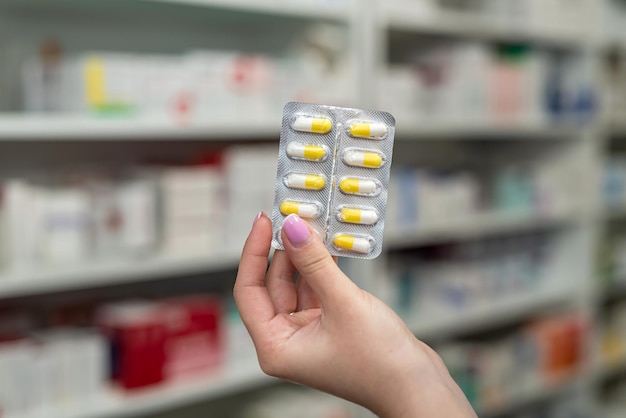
x,y
251,295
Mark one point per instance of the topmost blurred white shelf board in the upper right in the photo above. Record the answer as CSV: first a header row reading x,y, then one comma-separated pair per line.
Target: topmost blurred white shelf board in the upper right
x,y
403,17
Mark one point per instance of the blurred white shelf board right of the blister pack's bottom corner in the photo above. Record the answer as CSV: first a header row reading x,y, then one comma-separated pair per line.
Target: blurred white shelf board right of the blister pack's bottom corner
x,y
478,226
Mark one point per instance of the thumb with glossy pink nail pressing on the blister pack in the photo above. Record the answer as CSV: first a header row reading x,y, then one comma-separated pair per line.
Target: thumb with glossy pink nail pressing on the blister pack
x,y
311,258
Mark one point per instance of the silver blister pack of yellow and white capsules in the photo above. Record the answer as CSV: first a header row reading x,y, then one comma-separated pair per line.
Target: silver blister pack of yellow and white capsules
x,y
333,171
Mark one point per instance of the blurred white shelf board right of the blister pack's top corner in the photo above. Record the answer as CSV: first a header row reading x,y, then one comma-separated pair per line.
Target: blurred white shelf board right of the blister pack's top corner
x,y
408,129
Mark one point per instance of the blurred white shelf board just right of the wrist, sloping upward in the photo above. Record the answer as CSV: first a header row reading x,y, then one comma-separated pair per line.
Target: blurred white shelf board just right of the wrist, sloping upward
x,y
499,311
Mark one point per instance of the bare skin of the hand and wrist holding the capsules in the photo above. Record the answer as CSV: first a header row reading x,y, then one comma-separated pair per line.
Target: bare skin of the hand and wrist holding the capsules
x,y
327,333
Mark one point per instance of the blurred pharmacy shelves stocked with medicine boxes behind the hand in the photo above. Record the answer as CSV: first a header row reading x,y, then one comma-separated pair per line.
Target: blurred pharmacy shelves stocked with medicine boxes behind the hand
x,y
138,139
